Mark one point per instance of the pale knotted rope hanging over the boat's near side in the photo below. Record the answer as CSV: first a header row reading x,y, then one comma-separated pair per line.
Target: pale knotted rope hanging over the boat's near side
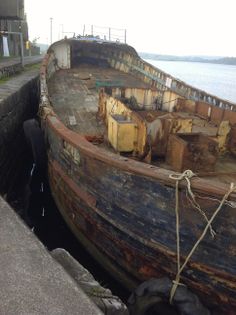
x,y
187,175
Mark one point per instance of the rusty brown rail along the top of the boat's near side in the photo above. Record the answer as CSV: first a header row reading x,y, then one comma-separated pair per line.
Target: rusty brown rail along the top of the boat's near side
x,y
201,185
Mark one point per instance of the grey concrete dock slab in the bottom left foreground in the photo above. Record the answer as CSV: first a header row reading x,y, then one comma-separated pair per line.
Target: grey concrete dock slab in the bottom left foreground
x,y
32,282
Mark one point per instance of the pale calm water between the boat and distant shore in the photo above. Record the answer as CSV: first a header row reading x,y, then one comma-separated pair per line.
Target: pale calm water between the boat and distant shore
x,y
216,79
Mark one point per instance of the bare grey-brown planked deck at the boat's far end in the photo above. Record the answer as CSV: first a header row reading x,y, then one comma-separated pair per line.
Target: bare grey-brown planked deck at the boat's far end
x,y
74,95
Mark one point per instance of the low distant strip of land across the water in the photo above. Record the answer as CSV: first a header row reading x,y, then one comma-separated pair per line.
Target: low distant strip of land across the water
x,y
207,59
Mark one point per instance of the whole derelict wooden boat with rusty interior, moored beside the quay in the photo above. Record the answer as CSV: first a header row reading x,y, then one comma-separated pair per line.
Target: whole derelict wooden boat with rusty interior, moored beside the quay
x,y
120,133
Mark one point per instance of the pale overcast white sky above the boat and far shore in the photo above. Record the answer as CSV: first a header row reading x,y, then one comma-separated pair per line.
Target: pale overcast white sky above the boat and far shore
x,y
173,27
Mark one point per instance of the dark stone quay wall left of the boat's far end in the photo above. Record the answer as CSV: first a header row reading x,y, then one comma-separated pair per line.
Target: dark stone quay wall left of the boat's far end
x,y
18,102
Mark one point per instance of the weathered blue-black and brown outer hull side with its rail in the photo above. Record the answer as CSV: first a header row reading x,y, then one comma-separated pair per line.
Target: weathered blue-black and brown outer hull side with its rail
x,y
123,212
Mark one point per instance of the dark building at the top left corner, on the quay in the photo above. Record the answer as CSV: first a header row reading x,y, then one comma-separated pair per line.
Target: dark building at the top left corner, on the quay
x,y
13,19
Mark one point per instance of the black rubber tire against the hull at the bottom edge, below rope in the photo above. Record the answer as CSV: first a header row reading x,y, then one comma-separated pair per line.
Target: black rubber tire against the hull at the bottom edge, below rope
x,y
157,291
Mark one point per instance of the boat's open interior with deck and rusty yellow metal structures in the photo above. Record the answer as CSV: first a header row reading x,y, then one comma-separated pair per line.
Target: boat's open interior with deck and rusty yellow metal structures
x,y
121,113
